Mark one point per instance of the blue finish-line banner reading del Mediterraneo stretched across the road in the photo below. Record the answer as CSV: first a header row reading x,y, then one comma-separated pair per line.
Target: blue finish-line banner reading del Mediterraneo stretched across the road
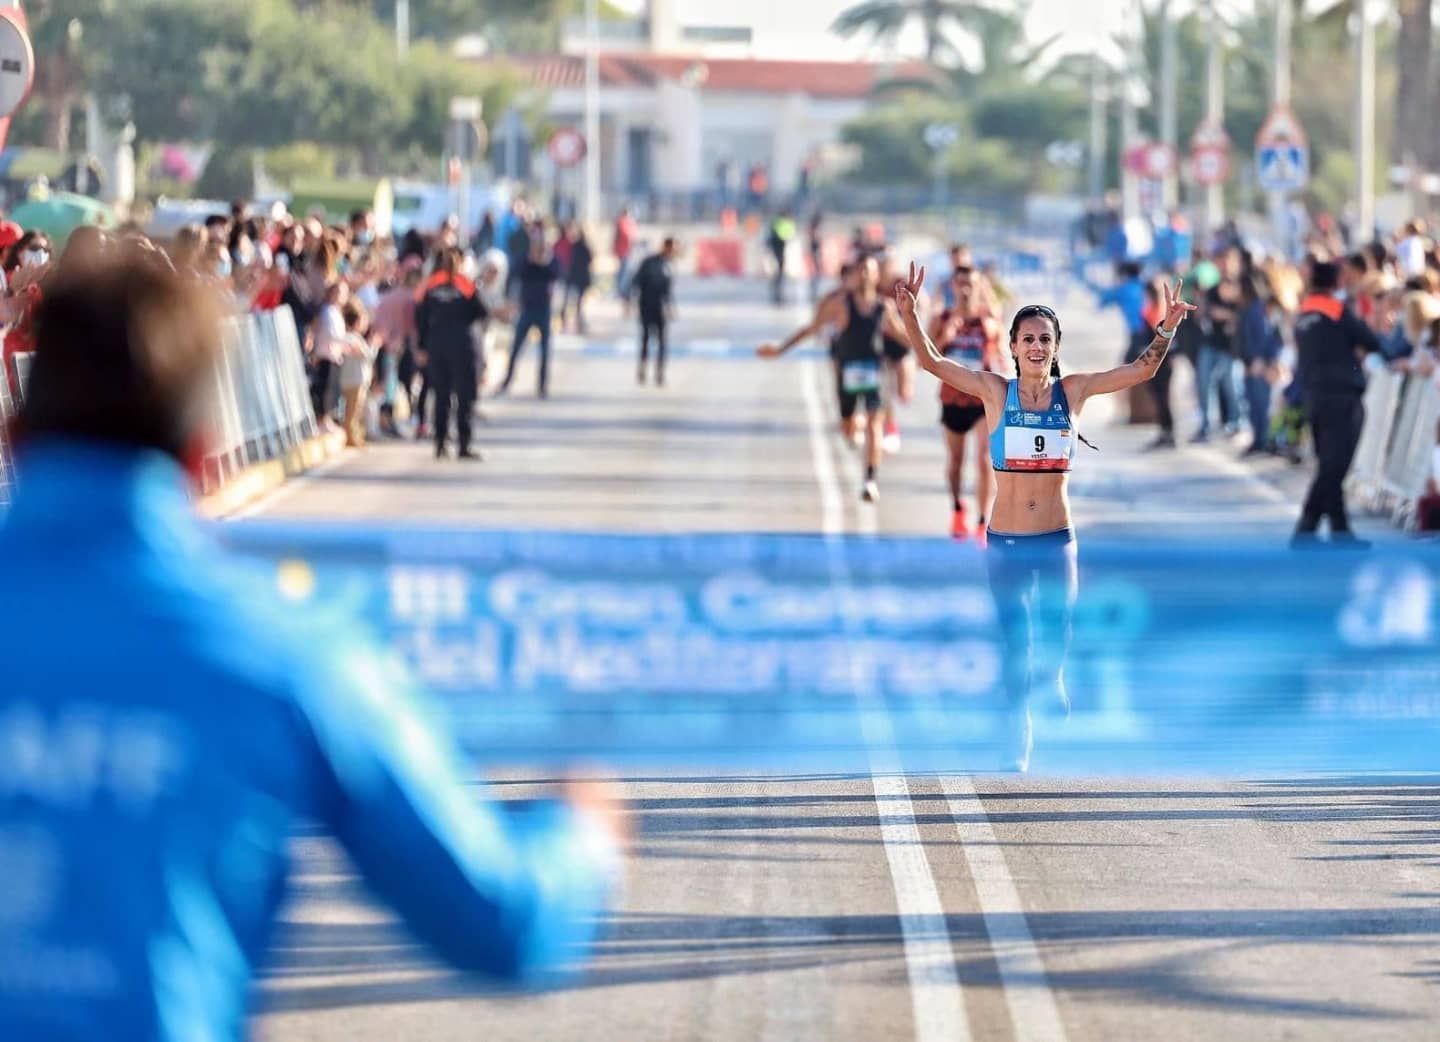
x,y
813,654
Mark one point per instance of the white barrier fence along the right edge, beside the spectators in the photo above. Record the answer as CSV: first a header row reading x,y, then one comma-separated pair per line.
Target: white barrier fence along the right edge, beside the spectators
x,y
1393,460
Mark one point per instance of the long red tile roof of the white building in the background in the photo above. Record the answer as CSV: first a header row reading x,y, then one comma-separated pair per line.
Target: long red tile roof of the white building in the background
x,y
751,76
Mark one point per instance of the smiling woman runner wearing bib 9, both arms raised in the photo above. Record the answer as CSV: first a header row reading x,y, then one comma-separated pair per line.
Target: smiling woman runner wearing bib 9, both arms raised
x,y
1032,556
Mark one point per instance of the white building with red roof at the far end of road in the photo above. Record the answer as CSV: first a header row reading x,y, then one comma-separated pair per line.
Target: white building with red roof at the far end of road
x,y
685,110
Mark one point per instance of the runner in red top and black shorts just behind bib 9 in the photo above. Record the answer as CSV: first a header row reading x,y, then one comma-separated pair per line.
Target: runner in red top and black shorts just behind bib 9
x,y
970,336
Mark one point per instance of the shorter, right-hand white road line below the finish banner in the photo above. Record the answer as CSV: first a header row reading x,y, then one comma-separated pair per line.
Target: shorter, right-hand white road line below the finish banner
x,y
1022,972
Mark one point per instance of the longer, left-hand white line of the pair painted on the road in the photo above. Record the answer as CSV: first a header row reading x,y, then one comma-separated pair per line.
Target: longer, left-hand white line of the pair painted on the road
x,y
937,1001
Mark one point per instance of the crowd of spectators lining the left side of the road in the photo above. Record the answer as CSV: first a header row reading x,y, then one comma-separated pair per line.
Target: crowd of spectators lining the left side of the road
x,y
352,291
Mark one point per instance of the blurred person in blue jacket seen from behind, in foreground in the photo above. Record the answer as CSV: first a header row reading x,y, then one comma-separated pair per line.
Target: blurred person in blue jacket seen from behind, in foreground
x,y
165,723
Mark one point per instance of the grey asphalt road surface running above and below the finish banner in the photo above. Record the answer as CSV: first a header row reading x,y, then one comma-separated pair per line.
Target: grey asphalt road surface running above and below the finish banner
x,y
886,907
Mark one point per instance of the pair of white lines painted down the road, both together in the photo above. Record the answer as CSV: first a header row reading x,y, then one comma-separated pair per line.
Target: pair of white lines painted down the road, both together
x,y
937,997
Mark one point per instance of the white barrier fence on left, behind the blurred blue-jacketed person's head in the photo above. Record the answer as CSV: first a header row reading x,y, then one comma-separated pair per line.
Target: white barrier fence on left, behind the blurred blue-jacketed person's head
x,y
261,402
